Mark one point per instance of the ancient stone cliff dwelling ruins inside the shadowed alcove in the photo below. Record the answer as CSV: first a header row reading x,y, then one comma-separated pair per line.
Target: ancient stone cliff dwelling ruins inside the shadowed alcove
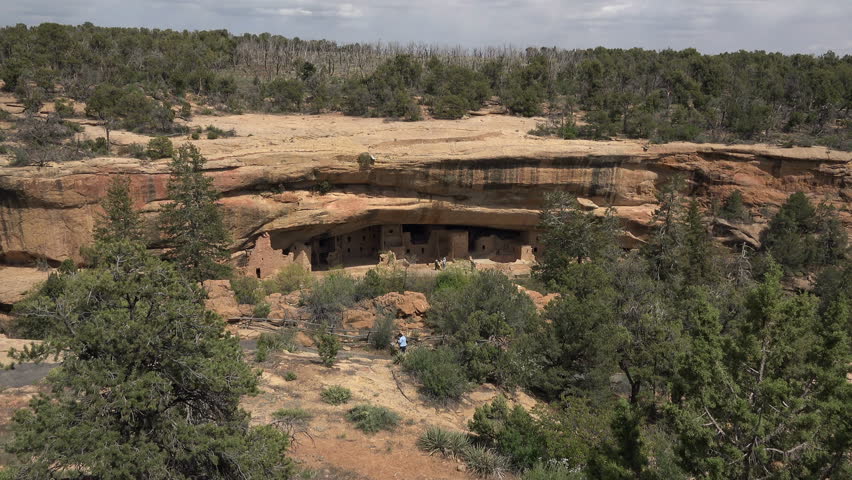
x,y
414,242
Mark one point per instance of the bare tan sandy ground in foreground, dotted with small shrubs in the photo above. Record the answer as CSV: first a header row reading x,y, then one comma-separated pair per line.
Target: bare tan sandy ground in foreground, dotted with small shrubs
x,y
335,445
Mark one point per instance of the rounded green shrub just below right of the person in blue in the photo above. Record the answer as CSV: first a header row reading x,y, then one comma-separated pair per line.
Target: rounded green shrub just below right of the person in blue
x,y
440,372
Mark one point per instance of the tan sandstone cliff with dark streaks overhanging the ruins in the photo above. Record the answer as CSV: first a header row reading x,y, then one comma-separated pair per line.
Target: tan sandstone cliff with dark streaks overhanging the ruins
x,y
484,171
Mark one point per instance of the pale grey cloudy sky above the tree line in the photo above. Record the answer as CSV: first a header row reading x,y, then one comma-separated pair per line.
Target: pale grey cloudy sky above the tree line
x,y
806,26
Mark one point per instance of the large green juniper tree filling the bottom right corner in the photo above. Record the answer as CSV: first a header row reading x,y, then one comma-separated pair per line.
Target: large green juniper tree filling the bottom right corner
x,y
769,398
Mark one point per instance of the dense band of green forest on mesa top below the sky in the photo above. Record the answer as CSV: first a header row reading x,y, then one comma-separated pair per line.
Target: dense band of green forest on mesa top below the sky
x,y
661,95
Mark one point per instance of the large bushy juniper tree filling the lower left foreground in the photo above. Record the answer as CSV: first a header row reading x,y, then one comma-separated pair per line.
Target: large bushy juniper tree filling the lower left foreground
x,y
149,384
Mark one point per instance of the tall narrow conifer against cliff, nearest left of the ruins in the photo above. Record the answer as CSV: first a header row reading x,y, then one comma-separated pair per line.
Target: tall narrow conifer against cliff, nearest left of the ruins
x,y
192,223
